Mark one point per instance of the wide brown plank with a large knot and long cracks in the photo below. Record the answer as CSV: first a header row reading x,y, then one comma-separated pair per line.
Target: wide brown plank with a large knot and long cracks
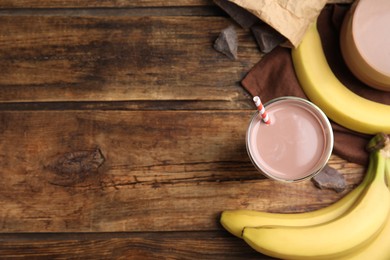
x,y
95,171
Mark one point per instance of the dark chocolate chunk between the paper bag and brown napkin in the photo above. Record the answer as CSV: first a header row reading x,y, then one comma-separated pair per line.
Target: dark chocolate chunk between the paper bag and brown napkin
x,y
267,38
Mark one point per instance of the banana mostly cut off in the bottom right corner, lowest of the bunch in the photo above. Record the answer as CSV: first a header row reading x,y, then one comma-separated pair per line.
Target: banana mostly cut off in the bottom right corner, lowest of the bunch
x,y
379,248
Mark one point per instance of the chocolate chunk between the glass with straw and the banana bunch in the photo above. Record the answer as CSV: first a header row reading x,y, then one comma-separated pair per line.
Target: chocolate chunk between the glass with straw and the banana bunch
x,y
329,178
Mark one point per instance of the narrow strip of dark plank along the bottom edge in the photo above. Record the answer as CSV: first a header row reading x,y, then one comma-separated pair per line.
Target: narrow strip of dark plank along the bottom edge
x,y
161,245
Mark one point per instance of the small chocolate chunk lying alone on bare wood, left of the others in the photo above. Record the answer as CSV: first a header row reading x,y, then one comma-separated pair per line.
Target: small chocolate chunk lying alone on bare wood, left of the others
x,y
227,42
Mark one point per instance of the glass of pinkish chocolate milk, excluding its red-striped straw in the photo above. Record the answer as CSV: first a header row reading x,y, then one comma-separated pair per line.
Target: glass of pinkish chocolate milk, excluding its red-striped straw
x,y
295,145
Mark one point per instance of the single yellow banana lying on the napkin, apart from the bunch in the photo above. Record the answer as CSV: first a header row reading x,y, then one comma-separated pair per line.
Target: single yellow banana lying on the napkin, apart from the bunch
x,y
326,91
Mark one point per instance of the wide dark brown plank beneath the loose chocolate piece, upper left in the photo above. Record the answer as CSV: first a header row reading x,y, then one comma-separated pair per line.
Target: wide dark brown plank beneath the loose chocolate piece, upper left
x,y
89,58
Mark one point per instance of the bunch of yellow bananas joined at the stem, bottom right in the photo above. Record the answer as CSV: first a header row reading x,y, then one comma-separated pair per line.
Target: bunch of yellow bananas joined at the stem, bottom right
x,y
355,227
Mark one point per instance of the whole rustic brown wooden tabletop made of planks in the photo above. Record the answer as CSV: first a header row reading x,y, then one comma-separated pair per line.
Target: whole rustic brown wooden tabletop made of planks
x,y
122,133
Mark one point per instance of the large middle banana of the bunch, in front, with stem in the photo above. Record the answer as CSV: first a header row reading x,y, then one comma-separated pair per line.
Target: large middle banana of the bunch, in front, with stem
x,y
332,239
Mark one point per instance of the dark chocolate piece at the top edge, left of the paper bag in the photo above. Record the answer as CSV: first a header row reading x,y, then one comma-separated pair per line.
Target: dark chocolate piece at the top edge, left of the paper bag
x,y
241,16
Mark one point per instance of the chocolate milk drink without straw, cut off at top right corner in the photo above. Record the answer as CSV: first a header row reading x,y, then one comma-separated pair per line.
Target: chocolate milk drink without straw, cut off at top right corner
x,y
365,41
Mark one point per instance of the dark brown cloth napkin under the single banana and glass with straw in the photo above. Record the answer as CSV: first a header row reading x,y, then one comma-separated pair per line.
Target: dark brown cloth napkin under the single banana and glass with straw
x,y
274,76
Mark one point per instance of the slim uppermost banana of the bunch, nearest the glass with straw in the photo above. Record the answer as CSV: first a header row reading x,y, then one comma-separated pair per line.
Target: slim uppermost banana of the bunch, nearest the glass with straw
x,y
234,221
